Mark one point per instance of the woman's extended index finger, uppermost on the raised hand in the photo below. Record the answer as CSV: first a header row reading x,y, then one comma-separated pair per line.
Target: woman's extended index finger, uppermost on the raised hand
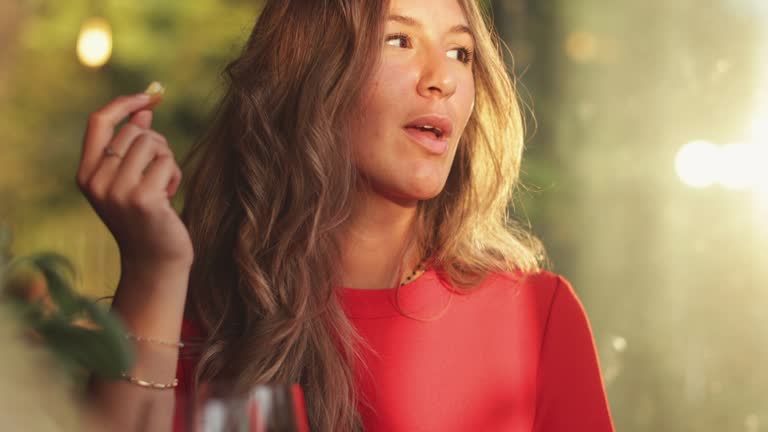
x,y
101,126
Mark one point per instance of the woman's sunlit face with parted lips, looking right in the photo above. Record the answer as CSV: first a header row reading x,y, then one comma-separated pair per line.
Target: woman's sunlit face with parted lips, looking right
x,y
424,80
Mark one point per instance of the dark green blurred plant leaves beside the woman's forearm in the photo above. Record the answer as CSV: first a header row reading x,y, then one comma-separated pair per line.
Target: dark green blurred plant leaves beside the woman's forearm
x,y
84,336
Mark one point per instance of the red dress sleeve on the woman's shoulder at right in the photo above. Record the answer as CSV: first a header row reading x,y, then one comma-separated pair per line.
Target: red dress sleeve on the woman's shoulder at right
x,y
571,393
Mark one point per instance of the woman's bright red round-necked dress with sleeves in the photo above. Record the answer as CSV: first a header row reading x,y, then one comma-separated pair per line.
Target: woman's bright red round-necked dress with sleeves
x,y
517,354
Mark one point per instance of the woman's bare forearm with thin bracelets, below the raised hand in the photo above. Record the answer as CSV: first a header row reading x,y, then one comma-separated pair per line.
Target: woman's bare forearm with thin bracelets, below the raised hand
x,y
151,304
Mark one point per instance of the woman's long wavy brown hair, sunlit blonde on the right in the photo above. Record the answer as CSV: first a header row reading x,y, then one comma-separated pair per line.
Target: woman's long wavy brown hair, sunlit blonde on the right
x,y
273,180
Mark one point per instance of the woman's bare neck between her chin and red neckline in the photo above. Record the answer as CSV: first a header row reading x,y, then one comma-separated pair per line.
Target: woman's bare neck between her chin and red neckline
x,y
378,243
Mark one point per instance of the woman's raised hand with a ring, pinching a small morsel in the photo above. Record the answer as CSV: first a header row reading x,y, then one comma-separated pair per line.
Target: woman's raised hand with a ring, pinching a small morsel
x,y
129,176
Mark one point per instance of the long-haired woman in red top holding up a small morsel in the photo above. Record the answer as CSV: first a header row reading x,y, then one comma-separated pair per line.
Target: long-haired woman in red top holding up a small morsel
x,y
347,215
